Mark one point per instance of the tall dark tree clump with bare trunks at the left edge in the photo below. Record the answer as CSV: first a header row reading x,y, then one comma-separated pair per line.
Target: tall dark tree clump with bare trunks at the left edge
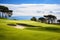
x,y
5,11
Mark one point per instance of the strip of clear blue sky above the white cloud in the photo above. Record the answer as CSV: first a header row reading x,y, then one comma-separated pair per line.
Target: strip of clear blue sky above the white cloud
x,y
30,1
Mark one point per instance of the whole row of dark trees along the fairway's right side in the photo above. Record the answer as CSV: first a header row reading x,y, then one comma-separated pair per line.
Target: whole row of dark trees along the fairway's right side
x,y
50,19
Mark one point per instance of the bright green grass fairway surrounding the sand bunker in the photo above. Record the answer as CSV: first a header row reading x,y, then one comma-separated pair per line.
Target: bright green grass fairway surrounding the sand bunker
x,y
41,32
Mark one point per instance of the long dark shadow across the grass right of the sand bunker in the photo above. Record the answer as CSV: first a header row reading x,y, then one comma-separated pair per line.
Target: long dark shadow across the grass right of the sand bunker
x,y
52,29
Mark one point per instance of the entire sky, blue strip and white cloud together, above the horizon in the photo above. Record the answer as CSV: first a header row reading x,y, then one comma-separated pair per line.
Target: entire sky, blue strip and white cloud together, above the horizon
x,y
33,7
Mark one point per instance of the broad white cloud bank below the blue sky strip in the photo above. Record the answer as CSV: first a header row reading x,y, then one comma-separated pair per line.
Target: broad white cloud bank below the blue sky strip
x,y
34,9
